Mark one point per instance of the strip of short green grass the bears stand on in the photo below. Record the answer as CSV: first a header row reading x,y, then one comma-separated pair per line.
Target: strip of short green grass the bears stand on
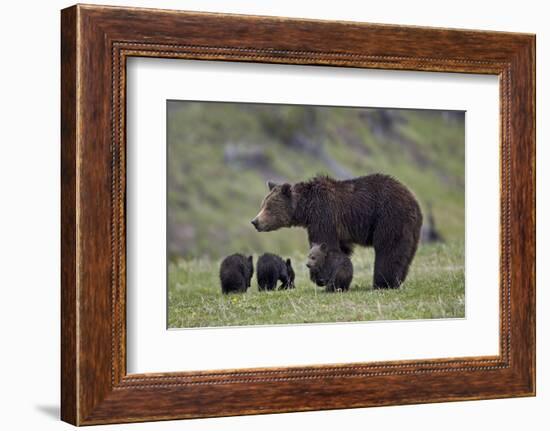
x,y
433,289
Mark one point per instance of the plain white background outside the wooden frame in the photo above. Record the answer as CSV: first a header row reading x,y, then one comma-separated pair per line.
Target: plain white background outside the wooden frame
x,y
29,215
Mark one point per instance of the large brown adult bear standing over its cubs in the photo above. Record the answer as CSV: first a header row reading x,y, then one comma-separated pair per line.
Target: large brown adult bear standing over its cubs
x,y
374,210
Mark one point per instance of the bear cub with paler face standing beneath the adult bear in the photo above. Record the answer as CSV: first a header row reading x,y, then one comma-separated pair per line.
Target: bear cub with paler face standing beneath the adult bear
x,y
330,268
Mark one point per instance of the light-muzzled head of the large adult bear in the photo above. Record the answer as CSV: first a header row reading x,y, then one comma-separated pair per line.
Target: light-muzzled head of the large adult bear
x,y
277,208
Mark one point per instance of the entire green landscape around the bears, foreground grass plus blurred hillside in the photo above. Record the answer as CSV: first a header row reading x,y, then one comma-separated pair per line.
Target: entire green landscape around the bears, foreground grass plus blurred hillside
x,y
219,158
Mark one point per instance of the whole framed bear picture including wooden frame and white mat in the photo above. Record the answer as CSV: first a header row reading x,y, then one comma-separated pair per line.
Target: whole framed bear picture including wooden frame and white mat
x,y
263,214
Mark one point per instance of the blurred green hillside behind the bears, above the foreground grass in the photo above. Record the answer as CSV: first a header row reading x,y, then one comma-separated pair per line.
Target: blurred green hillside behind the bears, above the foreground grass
x,y
221,154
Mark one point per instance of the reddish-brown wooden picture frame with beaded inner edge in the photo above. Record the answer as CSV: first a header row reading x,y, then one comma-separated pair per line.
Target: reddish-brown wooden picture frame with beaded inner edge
x,y
95,43
